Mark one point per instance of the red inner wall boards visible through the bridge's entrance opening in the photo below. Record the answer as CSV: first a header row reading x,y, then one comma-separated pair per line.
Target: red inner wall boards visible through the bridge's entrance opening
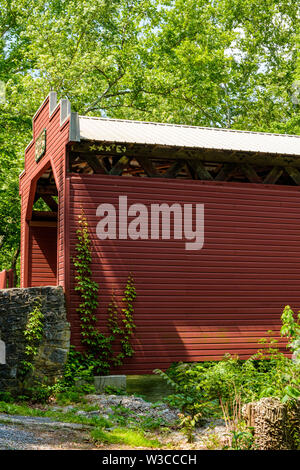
x,y
43,256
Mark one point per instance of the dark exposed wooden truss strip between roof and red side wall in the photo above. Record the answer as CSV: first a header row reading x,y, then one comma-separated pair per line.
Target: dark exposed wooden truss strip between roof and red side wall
x,y
161,162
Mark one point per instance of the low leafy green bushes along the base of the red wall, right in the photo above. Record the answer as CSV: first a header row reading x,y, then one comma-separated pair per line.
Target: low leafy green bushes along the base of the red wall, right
x,y
205,384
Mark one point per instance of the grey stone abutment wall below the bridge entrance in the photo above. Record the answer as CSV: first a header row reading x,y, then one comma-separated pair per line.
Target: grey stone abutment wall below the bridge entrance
x,y
15,307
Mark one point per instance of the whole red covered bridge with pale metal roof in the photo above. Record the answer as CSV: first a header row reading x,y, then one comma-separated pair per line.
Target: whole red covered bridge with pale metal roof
x,y
192,304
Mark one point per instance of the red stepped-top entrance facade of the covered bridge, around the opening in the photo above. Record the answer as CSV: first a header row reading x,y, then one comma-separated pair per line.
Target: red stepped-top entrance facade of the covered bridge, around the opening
x,y
57,138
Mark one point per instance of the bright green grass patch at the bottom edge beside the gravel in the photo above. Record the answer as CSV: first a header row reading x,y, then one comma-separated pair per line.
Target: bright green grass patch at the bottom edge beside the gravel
x,y
124,436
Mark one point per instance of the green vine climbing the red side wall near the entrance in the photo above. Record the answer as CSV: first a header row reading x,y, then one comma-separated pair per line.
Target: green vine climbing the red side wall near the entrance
x,y
99,346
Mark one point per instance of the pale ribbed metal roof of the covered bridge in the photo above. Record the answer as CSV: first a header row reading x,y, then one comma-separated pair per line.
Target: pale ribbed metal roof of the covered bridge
x,y
152,133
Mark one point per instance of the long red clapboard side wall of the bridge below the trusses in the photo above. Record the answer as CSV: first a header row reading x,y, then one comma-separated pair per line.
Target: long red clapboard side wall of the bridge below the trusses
x,y
196,305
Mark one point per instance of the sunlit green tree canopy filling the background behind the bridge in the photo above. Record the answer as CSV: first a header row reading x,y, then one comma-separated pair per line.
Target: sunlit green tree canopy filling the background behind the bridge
x,y
229,63
